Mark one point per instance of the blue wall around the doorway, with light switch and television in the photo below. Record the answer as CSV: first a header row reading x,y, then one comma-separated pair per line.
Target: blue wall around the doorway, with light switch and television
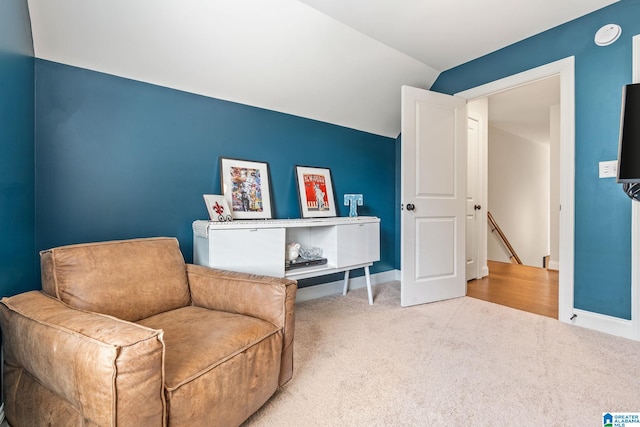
x,y
602,279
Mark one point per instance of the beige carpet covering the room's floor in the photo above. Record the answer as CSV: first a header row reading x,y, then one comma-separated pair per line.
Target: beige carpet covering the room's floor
x,y
462,362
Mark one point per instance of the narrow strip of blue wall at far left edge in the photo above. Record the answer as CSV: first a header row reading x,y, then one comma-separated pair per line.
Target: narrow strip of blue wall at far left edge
x,y
17,233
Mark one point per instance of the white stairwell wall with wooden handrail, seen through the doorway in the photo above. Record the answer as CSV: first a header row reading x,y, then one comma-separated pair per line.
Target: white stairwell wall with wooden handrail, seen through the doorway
x,y
519,191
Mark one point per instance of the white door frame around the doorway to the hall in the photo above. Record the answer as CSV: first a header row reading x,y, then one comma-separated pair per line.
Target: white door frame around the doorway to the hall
x,y
565,69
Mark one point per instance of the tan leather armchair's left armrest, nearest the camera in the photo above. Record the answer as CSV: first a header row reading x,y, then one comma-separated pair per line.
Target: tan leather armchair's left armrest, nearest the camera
x,y
101,369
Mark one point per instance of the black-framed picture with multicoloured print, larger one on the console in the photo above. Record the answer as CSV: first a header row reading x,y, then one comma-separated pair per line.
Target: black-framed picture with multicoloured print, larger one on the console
x,y
245,186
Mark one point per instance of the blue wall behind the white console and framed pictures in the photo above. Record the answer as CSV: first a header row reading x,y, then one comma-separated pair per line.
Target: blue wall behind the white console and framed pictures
x,y
118,158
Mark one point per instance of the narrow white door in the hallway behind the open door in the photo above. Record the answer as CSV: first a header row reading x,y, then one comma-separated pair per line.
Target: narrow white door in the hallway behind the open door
x,y
473,206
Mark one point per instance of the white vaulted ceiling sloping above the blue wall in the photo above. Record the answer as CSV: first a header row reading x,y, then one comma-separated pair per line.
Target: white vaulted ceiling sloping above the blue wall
x,y
338,61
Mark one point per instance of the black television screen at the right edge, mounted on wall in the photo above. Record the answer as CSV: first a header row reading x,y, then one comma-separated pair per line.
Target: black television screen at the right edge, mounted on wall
x,y
629,147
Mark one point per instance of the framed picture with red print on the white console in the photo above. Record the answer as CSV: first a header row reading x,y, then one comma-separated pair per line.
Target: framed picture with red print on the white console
x,y
315,190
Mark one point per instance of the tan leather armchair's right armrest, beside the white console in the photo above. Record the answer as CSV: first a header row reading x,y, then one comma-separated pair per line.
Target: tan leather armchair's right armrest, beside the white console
x,y
268,298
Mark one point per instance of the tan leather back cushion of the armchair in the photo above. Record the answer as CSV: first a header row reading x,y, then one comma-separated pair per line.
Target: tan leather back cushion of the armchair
x,y
127,279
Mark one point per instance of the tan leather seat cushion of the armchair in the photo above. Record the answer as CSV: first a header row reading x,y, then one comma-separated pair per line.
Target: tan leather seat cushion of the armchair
x,y
224,364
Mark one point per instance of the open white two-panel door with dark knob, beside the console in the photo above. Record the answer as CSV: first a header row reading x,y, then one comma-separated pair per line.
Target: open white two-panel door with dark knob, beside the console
x,y
433,195
